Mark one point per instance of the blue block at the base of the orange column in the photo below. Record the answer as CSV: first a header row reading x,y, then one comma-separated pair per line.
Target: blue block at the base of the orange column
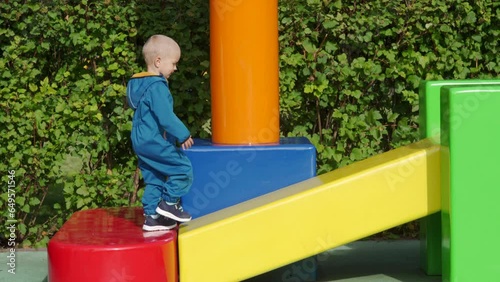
x,y
228,175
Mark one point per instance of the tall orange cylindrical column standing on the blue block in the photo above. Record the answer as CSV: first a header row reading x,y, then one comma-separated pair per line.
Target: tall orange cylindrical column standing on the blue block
x,y
244,71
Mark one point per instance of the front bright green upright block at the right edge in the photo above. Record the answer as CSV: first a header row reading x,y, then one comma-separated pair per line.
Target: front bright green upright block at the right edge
x,y
470,138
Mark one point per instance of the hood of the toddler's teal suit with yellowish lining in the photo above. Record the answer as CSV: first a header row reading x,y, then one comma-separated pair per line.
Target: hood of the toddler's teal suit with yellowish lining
x,y
139,84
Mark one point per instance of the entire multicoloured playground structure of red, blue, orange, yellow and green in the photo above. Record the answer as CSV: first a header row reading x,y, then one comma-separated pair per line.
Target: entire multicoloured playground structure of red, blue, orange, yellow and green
x,y
236,238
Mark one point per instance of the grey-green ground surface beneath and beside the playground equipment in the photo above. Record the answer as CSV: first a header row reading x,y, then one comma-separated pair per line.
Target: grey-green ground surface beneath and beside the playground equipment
x,y
361,261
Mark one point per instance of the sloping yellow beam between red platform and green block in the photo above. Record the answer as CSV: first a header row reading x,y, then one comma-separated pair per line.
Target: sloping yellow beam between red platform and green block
x,y
312,216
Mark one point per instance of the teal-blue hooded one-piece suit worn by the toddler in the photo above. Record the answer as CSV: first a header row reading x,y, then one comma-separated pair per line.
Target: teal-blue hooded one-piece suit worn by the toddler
x,y
165,168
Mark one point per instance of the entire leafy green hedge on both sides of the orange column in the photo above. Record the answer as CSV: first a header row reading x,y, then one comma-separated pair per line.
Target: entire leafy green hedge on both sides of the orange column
x,y
349,74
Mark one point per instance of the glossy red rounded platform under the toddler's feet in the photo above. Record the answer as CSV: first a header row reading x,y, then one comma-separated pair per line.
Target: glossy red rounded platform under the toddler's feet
x,y
109,245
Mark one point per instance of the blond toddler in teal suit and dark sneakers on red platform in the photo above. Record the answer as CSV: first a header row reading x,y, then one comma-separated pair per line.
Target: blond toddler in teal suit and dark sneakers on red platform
x,y
156,131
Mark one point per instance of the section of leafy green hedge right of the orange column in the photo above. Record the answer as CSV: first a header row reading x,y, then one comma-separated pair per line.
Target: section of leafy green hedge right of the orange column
x,y
350,71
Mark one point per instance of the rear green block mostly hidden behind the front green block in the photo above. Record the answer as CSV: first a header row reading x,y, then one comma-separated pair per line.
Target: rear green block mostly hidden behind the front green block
x,y
430,127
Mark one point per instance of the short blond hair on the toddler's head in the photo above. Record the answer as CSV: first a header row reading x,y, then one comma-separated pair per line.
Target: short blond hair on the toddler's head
x,y
158,46
